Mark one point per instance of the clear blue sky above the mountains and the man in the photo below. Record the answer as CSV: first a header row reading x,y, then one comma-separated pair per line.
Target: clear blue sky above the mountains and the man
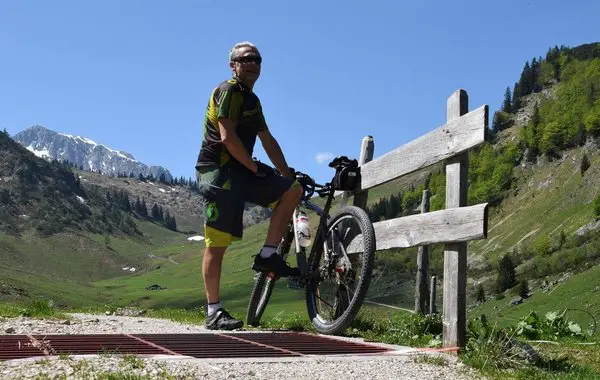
x,y
135,75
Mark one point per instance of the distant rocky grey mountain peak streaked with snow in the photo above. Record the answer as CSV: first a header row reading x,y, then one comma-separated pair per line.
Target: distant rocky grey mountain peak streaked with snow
x,y
84,153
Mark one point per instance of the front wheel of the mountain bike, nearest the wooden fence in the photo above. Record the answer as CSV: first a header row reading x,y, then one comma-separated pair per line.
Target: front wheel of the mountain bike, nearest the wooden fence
x,y
344,263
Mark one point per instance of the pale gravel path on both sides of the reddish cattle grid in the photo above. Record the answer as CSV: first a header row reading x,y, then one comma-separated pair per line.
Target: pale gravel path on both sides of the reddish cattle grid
x,y
403,366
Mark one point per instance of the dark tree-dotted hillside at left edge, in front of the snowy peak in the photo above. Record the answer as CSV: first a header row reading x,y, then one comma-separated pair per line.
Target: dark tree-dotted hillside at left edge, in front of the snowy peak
x,y
48,198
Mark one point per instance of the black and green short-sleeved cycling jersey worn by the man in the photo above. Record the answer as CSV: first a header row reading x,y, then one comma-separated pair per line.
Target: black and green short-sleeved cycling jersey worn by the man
x,y
231,99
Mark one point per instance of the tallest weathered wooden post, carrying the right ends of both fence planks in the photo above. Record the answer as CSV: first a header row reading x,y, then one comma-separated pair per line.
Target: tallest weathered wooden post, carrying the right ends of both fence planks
x,y
455,254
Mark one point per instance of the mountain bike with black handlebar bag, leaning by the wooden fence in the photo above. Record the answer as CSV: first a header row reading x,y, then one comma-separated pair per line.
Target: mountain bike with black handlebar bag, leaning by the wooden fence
x,y
337,272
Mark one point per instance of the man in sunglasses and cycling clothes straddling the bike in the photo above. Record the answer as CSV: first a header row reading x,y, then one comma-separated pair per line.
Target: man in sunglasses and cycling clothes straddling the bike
x,y
228,177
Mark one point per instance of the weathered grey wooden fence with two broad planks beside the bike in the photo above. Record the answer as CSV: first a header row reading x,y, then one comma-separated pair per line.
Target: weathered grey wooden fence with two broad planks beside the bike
x,y
456,224
